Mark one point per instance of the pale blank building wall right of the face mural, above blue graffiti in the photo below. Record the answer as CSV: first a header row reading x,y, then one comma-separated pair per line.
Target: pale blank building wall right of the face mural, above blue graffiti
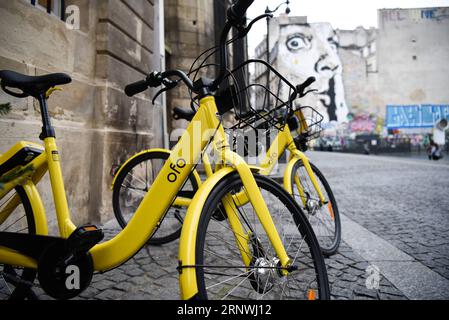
x,y
404,62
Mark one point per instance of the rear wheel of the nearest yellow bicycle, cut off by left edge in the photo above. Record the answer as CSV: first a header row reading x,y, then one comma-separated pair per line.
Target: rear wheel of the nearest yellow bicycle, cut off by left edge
x,y
15,283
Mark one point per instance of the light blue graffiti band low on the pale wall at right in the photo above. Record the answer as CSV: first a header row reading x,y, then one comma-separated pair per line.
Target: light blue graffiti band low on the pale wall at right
x,y
415,116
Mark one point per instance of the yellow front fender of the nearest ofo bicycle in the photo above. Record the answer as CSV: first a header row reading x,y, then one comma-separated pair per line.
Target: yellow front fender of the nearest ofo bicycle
x,y
187,247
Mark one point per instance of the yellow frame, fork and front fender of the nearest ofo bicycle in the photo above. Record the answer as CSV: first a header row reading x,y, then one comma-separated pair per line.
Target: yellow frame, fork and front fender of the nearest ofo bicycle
x,y
156,202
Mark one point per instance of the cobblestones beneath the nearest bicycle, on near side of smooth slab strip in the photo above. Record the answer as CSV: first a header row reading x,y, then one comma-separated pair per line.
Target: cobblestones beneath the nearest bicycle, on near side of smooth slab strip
x,y
152,275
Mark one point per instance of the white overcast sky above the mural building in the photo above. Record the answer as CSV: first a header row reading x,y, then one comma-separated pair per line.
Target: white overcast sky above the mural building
x,y
342,14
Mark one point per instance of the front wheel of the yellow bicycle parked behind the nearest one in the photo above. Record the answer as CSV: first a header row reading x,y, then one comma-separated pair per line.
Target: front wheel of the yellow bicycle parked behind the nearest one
x,y
324,217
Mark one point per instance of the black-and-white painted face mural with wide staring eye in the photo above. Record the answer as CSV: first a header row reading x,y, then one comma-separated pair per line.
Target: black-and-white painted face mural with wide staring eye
x,y
312,50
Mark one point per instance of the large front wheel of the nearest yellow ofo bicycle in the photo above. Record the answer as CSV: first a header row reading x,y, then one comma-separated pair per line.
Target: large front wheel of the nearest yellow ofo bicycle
x,y
221,272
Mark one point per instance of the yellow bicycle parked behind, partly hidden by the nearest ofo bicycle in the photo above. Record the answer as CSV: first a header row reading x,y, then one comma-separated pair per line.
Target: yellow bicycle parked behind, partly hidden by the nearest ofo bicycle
x,y
302,179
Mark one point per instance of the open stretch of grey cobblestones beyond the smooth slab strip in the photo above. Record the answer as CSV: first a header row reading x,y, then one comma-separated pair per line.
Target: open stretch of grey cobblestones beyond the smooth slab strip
x,y
405,202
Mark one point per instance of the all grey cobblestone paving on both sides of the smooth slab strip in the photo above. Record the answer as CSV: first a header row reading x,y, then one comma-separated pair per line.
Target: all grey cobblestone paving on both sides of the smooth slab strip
x,y
402,201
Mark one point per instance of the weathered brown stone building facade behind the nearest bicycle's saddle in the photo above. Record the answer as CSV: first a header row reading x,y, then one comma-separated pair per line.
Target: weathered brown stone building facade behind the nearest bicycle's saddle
x,y
97,126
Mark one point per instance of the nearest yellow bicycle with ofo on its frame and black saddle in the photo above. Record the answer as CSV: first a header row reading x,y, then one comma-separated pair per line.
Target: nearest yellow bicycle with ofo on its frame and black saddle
x,y
266,249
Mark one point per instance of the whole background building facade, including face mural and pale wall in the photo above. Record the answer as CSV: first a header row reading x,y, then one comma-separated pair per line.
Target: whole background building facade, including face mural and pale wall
x,y
402,63
